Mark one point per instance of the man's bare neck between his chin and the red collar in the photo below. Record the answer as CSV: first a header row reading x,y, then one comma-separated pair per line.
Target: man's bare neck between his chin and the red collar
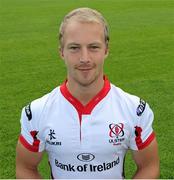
x,y
85,93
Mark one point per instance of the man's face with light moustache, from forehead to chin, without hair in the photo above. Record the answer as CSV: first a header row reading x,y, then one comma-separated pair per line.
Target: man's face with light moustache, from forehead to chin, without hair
x,y
84,51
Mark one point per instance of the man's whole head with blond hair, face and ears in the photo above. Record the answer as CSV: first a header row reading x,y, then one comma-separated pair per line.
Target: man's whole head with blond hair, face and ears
x,y
84,45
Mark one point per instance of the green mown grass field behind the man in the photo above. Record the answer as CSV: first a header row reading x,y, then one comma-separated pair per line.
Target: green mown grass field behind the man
x,y
141,61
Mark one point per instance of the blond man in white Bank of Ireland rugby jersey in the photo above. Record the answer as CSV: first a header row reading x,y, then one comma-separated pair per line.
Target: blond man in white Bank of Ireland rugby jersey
x,y
86,125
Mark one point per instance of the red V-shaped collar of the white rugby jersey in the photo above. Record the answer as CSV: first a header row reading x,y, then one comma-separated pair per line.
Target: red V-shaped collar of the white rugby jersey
x,y
87,109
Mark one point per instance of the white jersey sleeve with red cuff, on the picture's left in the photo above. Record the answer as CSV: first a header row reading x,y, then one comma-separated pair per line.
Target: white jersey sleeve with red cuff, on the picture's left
x,y
30,134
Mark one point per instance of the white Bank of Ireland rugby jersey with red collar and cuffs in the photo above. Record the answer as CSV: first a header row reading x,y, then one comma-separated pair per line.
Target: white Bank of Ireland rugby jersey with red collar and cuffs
x,y
87,142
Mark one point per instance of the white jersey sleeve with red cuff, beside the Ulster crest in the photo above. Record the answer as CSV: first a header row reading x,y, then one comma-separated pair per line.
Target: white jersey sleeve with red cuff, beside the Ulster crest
x,y
143,133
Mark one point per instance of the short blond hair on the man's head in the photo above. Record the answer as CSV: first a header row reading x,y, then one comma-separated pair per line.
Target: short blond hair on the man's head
x,y
84,15
